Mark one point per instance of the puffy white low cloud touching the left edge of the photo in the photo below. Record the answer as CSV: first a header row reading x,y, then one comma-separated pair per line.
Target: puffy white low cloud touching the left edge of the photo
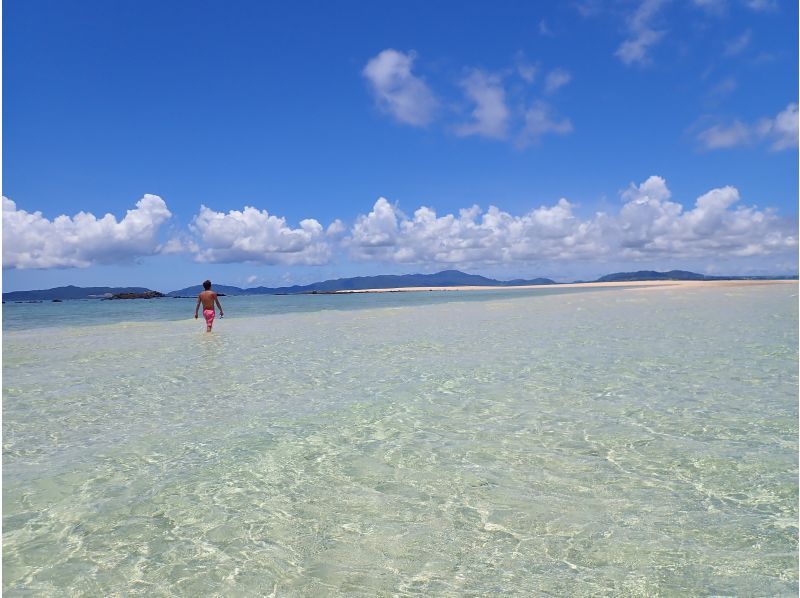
x,y
32,241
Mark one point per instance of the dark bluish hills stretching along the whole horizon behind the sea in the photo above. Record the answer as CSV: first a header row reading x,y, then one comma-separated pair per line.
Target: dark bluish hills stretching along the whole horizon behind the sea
x,y
446,278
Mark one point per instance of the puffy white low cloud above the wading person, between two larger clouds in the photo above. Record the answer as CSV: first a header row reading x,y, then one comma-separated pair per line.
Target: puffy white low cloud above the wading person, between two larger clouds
x,y
253,235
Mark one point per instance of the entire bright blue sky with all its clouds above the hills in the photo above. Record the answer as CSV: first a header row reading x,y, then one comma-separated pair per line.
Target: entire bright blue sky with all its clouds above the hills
x,y
158,144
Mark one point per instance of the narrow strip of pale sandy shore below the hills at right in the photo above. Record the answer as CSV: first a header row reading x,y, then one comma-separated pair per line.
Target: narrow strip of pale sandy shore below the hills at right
x,y
636,284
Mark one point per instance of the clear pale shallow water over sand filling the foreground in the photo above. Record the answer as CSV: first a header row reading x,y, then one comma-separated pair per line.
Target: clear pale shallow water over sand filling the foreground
x,y
625,442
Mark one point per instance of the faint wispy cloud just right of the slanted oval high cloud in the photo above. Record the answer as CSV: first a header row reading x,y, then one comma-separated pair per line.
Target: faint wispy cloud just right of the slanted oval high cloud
x,y
490,116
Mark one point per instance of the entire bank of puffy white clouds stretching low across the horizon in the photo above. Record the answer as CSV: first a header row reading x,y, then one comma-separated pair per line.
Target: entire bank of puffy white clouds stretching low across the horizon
x,y
649,225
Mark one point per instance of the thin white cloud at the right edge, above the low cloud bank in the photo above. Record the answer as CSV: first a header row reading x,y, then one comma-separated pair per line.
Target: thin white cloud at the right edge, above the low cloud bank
x,y
780,132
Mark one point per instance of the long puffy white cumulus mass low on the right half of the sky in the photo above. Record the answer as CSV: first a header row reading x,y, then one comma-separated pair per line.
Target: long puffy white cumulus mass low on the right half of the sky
x,y
648,226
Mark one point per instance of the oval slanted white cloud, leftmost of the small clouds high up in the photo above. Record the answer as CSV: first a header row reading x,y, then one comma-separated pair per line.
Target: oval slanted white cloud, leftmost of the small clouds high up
x,y
397,90
